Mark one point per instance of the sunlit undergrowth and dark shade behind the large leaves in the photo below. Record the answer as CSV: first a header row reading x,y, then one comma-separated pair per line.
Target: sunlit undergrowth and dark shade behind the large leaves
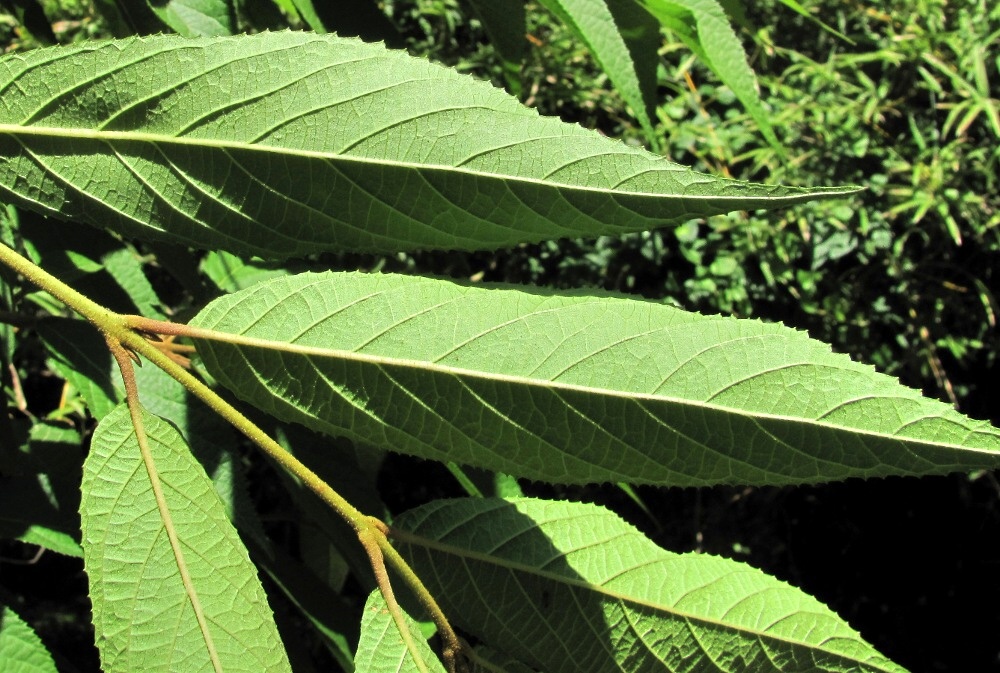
x,y
904,100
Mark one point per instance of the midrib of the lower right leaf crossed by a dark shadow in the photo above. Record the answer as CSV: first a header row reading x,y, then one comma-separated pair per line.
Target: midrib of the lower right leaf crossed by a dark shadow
x,y
514,566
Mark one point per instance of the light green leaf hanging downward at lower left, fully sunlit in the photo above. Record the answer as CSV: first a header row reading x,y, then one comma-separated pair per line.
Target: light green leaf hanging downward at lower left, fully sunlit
x,y
143,611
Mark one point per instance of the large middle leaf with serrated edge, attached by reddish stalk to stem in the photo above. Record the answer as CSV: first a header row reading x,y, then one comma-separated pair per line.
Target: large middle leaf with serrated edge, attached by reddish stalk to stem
x,y
574,388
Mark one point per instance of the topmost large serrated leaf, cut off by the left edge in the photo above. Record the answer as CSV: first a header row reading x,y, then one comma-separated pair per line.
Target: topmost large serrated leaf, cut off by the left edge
x,y
282,144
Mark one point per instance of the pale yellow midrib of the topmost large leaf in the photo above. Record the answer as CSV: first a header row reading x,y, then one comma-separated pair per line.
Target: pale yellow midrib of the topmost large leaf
x,y
110,137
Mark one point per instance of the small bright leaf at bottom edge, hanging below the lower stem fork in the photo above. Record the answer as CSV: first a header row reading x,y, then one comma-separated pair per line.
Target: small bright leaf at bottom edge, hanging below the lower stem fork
x,y
382,649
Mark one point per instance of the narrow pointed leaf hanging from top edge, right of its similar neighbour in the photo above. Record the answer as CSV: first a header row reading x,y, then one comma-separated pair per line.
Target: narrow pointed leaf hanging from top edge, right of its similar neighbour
x,y
702,25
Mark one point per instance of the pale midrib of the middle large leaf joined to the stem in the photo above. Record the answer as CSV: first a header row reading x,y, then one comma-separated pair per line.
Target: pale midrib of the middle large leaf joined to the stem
x,y
460,372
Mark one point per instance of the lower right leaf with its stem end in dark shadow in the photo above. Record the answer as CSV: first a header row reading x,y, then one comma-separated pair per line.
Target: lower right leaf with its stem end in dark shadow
x,y
571,587
